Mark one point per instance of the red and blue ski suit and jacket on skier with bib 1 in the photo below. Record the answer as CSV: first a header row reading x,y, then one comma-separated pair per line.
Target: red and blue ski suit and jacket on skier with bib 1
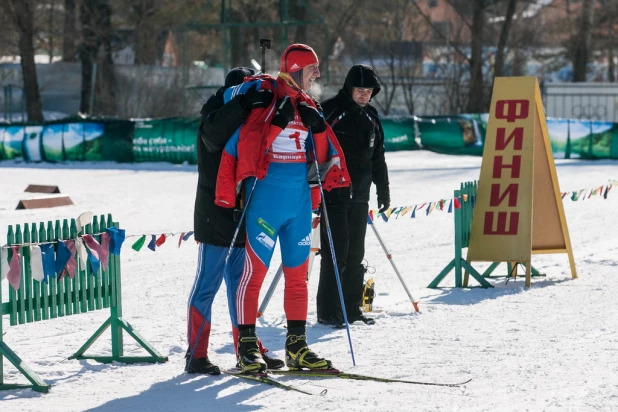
x,y
282,161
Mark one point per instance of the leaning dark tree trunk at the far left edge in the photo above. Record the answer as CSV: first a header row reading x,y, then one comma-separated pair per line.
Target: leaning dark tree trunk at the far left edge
x,y
20,12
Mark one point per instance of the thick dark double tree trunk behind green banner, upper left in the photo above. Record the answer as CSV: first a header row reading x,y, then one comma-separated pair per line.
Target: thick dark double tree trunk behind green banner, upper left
x,y
95,16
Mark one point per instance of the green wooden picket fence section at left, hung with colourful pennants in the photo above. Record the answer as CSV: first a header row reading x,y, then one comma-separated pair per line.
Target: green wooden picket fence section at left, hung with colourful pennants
x,y
36,301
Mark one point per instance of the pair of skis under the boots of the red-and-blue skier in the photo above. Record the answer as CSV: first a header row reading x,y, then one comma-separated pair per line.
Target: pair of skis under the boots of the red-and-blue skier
x,y
329,373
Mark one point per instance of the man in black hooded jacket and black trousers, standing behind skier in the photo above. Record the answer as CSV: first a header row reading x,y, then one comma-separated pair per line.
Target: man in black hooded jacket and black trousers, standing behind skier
x,y
360,134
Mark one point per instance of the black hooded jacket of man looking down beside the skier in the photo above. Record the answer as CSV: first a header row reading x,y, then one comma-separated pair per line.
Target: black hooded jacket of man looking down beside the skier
x,y
360,134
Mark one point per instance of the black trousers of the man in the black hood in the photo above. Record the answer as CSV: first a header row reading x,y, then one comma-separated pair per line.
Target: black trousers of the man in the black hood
x,y
348,224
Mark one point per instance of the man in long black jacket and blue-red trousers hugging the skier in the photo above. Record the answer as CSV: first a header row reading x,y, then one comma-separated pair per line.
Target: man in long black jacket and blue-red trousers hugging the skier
x,y
214,226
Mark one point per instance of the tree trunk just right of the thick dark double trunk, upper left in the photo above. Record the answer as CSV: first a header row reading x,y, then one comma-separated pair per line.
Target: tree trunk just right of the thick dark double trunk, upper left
x,y
145,33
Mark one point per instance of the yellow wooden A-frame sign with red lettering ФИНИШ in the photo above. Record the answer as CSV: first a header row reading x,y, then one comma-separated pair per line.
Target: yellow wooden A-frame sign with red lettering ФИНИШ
x,y
518,209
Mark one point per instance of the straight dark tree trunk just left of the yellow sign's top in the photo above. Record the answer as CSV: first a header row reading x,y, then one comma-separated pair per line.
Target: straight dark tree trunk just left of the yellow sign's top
x,y
476,92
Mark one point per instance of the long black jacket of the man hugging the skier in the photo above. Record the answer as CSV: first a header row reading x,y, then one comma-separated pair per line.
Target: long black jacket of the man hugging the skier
x,y
212,224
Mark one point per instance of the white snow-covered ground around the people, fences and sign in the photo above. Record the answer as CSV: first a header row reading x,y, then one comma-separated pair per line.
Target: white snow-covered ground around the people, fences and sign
x,y
553,347
